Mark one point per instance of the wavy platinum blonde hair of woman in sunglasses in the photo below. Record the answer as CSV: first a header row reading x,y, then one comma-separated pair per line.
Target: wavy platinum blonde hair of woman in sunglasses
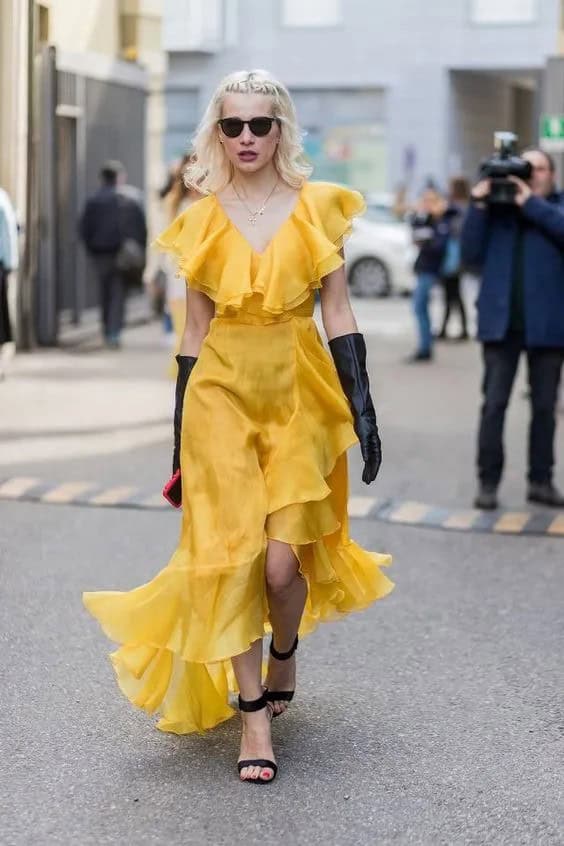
x,y
210,170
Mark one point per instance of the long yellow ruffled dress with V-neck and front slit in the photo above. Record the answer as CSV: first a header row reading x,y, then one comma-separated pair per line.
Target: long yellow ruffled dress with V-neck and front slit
x,y
265,431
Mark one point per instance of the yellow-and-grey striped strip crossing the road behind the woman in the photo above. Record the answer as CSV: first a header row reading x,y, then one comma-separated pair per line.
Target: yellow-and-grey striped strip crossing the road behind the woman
x,y
399,512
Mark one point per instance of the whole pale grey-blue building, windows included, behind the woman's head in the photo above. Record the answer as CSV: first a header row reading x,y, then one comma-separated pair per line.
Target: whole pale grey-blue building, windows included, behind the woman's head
x,y
388,93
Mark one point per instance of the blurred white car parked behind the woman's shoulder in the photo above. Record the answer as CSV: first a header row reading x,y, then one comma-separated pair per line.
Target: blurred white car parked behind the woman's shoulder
x,y
380,253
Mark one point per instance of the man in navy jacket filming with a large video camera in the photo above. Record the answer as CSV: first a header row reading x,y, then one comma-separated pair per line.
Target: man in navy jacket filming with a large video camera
x,y
519,250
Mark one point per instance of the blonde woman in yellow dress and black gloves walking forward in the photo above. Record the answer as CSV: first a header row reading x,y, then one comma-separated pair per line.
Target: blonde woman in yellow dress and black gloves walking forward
x,y
263,419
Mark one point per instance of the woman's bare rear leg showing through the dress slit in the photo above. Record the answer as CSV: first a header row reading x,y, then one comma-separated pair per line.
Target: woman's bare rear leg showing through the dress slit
x,y
287,592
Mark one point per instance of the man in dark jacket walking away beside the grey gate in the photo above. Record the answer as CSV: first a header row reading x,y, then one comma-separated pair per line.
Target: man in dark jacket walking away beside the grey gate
x,y
113,227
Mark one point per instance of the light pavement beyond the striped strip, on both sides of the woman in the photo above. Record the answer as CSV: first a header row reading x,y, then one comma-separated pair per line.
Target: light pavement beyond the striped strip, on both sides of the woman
x,y
84,413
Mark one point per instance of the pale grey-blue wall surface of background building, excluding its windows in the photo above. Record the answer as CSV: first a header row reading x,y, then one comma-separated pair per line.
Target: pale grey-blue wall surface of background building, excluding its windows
x,y
405,49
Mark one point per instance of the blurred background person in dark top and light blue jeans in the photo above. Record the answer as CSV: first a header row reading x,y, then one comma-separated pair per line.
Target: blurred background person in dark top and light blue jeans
x,y
430,232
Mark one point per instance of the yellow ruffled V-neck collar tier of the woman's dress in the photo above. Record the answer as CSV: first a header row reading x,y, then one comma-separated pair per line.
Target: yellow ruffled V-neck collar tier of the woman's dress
x,y
216,258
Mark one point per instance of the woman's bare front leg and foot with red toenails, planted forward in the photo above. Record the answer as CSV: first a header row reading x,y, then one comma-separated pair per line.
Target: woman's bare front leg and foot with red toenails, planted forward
x,y
255,738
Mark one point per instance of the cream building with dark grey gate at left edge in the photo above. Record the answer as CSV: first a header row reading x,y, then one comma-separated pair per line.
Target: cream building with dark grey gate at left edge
x,y
80,83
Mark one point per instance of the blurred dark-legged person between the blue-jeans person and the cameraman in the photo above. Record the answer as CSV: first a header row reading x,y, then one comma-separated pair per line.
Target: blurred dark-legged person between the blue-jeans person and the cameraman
x,y
458,196
